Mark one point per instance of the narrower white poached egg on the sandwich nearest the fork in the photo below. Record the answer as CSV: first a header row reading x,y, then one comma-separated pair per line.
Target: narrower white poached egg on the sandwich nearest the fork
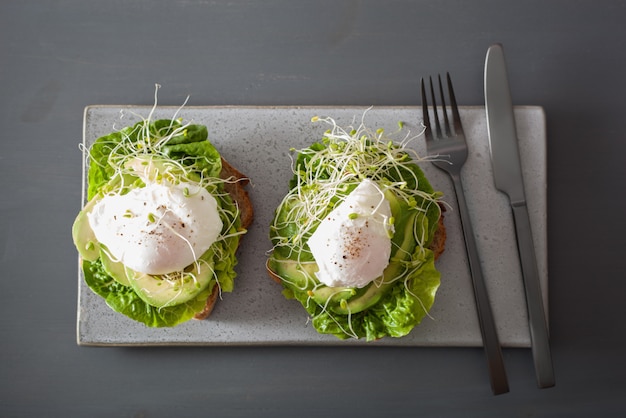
x,y
352,245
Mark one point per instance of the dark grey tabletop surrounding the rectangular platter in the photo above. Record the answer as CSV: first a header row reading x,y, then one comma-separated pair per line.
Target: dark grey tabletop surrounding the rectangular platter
x,y
56,57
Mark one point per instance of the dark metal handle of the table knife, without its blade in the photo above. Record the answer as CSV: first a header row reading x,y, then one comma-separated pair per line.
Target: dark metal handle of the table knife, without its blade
x,y
534,300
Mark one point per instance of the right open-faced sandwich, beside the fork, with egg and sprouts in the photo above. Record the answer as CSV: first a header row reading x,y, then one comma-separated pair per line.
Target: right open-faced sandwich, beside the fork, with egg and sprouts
x,y
356,237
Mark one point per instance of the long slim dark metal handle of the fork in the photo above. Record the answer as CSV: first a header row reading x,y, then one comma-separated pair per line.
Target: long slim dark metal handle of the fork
x,y
497,373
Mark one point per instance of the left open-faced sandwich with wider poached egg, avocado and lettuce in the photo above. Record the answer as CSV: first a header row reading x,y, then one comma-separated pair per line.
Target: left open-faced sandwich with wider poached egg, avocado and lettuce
x,y
162,222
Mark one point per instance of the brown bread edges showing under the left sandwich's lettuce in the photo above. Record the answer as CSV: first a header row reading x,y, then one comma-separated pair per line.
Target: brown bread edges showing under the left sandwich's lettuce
x,y
235,186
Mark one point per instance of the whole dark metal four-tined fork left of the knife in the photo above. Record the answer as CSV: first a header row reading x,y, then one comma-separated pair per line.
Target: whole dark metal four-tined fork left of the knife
x,y
450,151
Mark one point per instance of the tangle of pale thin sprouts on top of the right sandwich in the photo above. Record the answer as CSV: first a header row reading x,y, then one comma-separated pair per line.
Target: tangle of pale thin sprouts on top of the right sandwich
x,y
325,175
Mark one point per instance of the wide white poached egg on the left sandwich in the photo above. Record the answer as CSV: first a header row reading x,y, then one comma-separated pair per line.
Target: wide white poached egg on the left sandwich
x,y
157,229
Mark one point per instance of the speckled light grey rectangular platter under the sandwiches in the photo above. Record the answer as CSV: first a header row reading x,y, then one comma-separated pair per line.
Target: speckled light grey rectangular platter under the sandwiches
x,y
257,141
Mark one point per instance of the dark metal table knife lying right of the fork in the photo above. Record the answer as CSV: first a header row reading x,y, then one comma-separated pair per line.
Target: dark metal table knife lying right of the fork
x,y
507,174
